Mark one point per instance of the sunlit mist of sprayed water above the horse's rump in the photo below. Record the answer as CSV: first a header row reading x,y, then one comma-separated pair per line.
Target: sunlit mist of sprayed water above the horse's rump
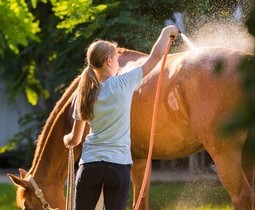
x,y
221,24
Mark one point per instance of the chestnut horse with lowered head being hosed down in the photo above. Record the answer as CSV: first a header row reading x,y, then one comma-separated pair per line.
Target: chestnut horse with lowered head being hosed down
x,y
200,90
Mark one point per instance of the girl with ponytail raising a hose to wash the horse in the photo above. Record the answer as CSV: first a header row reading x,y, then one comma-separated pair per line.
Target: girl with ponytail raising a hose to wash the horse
x,y
104,102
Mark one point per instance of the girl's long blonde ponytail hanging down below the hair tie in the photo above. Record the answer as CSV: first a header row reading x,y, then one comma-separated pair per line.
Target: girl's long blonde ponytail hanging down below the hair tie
x,y
88,91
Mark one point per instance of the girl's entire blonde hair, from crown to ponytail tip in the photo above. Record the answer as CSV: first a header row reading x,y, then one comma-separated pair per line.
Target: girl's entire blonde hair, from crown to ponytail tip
x,y
89,85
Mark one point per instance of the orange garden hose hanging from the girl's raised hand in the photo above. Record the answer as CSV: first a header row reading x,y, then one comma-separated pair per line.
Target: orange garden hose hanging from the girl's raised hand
x,y
153,126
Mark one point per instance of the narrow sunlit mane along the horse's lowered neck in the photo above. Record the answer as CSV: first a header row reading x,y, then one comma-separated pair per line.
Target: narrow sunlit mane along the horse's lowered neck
x,y
62,102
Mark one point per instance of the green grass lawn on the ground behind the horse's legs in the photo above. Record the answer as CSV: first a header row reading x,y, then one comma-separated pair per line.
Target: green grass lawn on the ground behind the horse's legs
x,y
163,196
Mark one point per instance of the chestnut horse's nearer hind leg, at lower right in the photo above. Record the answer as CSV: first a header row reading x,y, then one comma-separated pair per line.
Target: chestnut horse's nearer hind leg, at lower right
x,y
226,154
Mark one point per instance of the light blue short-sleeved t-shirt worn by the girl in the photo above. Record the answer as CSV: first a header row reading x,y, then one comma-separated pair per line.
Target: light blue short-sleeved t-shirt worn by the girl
x,y
109,136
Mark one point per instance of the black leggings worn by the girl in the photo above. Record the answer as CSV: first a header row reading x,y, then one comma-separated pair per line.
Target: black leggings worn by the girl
x,y
91,177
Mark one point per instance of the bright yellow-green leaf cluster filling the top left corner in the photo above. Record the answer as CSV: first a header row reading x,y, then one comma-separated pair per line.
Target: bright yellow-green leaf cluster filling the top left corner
x,y
18,25
